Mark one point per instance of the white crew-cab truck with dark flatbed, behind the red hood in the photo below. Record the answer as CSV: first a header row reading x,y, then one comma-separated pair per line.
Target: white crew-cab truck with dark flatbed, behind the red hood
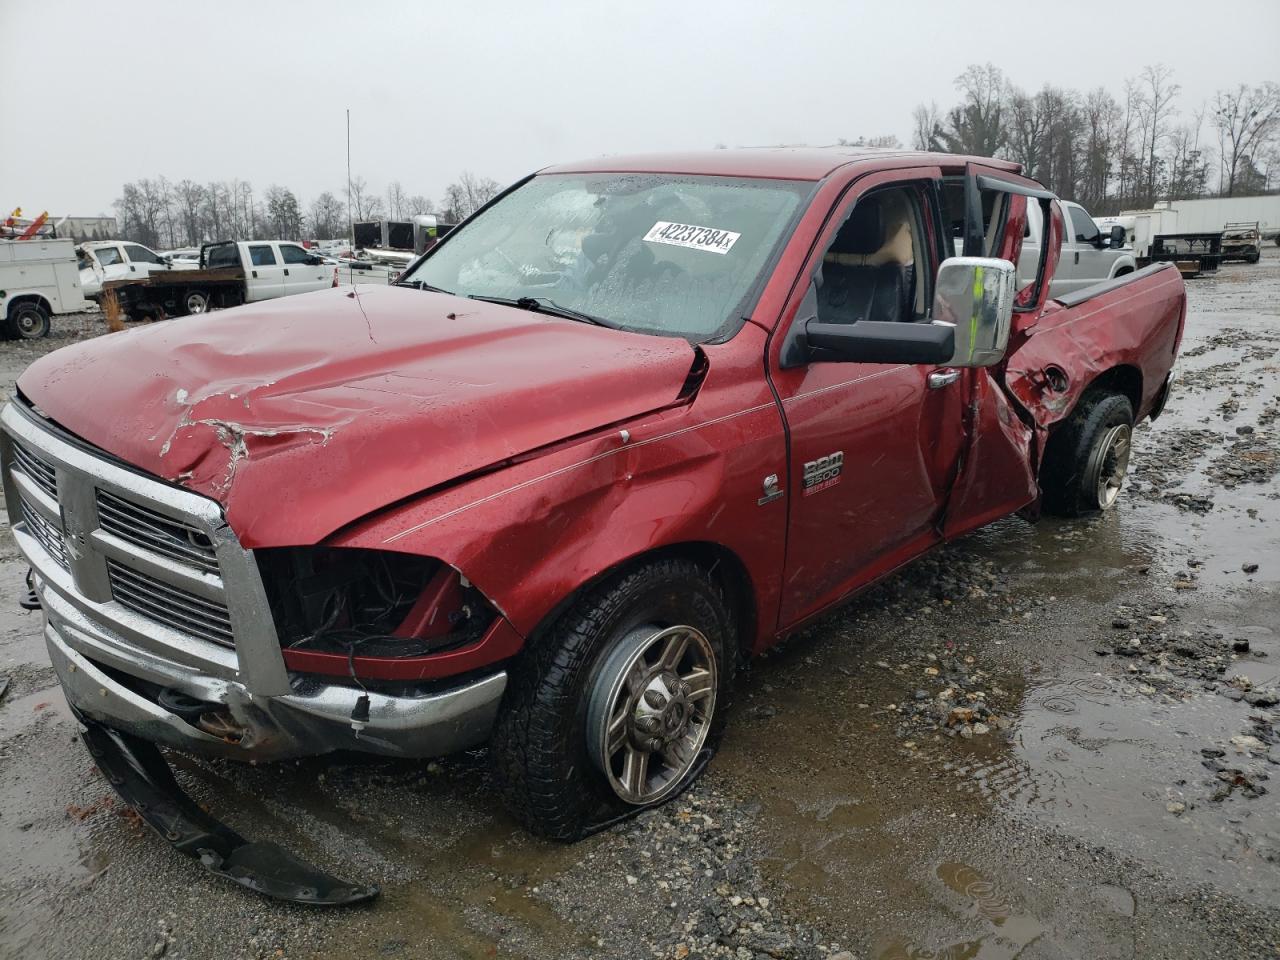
x,y
230,273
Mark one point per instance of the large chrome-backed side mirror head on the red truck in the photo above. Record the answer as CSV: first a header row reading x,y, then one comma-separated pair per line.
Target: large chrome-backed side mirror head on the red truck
x,y
976,295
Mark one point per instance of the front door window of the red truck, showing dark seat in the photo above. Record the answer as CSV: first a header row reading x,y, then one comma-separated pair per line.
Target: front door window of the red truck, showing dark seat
x,y
877,266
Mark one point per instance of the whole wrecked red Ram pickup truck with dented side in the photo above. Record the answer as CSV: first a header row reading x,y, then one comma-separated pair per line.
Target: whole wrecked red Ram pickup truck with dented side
x,y
634,422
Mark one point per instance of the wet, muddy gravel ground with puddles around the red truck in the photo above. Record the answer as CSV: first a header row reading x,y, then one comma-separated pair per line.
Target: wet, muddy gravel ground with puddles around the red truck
x,y
1044,742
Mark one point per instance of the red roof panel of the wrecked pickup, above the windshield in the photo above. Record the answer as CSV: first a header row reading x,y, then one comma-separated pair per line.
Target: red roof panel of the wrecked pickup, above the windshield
x,y
772,163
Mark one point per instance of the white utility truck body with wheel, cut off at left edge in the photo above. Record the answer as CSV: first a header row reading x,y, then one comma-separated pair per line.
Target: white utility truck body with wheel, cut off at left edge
x,y
38,280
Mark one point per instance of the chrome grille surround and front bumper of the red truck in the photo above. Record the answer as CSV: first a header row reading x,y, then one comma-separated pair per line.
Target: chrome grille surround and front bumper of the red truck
x,y
112,661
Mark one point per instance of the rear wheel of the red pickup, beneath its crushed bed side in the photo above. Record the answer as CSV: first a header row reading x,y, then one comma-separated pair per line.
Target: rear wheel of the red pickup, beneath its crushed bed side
x,y
1089,456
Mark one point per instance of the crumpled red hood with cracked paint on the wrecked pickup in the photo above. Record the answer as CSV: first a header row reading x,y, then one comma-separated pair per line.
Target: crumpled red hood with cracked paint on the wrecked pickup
x,y
308,413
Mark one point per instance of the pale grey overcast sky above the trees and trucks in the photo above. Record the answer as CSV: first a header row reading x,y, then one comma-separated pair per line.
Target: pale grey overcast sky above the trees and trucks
x,y
97,94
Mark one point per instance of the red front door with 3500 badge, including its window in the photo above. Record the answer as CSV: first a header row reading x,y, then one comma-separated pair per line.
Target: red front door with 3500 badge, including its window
x,y
872,446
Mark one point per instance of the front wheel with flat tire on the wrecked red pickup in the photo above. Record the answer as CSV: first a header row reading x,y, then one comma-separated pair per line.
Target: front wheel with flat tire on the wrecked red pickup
x,y
620,705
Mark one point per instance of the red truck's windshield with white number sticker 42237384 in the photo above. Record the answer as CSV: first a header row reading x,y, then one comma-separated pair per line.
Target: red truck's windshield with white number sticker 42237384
x,y
648,253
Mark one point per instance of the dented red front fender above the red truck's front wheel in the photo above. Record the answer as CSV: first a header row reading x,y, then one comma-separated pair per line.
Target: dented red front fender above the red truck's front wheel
x,y
534,533
